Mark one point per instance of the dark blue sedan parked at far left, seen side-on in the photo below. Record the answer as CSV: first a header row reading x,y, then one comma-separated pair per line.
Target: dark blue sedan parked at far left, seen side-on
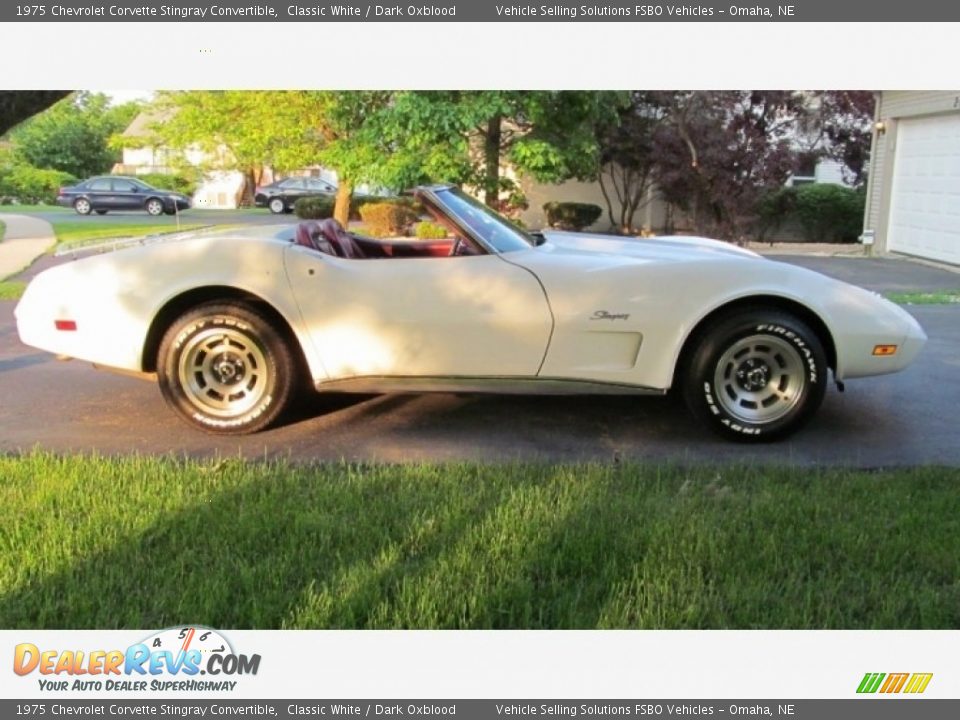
x,y
114,192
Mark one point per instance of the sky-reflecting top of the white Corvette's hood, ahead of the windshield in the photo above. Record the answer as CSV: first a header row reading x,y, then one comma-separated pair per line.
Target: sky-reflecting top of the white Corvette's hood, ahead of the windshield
x,y
674,248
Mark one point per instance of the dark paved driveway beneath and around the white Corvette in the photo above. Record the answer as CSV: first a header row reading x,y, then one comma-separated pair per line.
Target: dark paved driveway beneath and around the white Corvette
x,y
903,419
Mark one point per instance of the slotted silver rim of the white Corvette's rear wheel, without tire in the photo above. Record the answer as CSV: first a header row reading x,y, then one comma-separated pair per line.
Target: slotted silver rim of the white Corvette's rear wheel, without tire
x,y
223,372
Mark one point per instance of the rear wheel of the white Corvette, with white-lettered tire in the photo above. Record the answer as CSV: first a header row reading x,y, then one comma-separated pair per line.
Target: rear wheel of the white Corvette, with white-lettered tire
x,y
223,368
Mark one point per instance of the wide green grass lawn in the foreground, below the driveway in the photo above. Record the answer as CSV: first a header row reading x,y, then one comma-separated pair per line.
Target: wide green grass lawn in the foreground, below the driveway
x,y
148,543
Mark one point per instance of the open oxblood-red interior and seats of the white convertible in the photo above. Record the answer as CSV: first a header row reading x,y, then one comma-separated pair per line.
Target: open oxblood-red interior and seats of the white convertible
x,y
329,237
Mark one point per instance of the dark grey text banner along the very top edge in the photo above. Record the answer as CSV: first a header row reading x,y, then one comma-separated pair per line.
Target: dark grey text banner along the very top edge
x,y
480,11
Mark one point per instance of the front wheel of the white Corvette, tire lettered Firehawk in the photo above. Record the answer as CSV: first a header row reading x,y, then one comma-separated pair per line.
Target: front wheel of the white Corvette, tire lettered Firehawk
x,y
757,375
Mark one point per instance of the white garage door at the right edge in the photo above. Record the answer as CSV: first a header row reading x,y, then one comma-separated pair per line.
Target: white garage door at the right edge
x,y
925,201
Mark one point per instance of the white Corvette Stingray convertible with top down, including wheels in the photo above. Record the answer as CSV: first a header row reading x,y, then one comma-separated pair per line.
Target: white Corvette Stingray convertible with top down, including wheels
x,y
233,322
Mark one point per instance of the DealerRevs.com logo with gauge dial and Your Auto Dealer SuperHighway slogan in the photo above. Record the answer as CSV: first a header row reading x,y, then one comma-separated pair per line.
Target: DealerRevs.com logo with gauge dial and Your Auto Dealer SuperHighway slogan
x,y
176,659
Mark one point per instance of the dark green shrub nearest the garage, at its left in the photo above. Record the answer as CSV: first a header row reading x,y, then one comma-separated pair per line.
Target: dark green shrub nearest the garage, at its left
x,y
830,213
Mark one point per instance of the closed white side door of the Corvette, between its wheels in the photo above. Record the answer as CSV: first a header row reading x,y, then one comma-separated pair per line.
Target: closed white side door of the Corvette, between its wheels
x,y
470,316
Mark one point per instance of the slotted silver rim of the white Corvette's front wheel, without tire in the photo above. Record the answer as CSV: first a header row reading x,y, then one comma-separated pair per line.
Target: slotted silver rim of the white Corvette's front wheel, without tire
x,y
760,379
